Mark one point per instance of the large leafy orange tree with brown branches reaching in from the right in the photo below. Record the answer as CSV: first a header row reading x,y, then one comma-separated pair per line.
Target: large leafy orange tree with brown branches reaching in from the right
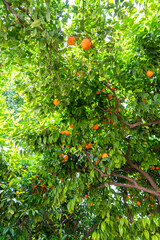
x,y
88,75
